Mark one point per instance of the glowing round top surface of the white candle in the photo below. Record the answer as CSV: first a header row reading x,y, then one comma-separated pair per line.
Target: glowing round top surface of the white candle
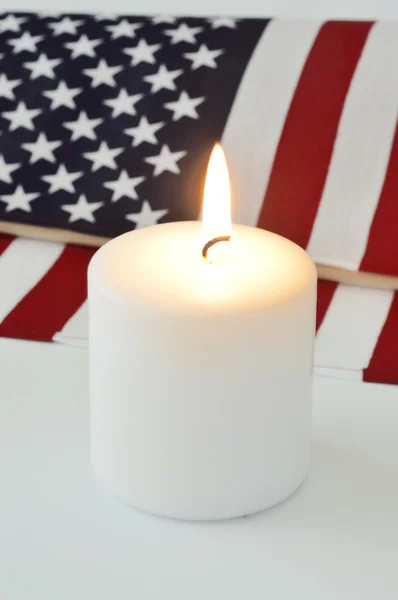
x,y
163,267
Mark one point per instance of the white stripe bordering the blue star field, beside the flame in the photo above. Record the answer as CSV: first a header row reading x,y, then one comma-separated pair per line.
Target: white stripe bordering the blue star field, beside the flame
x,y
259,111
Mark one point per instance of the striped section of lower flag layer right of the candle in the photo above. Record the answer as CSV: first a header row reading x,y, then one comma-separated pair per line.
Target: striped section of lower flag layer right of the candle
x,y
357,333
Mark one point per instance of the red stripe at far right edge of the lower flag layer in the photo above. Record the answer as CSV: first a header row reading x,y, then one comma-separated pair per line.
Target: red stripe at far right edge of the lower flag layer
x,y
383,366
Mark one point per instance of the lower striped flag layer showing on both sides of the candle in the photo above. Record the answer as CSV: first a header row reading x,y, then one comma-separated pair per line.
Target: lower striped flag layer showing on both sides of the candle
x,y
357,328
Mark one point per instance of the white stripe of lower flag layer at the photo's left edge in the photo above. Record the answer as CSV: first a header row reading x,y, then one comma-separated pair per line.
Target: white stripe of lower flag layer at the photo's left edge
x,y
22,265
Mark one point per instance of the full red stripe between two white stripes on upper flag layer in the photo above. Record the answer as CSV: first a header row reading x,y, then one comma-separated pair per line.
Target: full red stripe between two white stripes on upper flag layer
x,y
305,148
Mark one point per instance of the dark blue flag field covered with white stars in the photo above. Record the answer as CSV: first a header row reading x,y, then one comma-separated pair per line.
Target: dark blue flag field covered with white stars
x,y
108,122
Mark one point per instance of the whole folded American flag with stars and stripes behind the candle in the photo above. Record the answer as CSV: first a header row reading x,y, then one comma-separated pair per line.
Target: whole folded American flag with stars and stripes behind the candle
x,y
107,123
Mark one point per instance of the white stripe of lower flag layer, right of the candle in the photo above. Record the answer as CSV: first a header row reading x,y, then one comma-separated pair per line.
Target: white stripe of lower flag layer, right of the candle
x,y
351,327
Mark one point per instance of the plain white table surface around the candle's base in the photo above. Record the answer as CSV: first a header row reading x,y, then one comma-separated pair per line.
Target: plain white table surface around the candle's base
x,y
61,538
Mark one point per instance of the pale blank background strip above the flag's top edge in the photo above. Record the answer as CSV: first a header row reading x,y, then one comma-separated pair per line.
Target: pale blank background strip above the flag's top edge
x,y
358,9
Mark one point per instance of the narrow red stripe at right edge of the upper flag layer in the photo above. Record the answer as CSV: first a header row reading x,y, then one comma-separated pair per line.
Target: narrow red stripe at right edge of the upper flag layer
x,y
381,255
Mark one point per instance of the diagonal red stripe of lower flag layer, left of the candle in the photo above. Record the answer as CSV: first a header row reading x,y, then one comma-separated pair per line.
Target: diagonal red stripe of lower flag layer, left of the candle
x,y
53,301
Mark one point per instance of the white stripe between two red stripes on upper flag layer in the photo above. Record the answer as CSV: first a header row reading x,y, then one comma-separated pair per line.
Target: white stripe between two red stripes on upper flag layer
x,y
360,156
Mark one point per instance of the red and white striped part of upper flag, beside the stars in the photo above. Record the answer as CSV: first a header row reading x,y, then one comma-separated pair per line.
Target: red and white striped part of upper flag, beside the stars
x,y
323,170
